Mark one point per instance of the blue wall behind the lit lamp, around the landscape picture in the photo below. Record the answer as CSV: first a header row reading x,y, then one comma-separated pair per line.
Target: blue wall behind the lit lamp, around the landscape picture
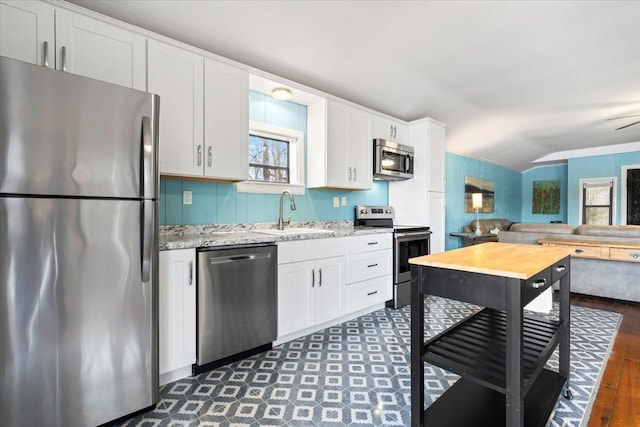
x,y
507,187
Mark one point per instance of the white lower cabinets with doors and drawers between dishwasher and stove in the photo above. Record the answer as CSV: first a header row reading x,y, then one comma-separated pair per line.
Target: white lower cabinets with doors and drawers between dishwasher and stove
x,y
324,281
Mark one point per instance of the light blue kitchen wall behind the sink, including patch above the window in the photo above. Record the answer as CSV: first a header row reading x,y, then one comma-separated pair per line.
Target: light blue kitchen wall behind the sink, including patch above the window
x,y
220,203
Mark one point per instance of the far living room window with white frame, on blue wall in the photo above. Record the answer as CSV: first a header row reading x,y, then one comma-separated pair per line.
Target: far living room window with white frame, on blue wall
x,y
597,201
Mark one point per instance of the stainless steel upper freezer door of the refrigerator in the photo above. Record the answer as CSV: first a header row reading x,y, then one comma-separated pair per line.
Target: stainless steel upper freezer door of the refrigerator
x,y
66,135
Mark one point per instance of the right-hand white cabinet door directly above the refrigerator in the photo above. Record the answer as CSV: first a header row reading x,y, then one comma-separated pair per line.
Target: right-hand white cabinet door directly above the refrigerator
x,y
91,48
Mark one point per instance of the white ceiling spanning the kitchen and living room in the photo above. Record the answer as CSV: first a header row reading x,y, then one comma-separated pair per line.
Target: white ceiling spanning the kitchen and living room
x,y
513,80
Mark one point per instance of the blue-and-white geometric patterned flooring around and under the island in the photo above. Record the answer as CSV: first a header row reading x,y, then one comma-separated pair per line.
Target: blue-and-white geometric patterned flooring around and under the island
x,y
357,374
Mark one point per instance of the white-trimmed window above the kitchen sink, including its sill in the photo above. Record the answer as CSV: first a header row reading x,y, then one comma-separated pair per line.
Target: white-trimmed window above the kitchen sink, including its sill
x,y
276,160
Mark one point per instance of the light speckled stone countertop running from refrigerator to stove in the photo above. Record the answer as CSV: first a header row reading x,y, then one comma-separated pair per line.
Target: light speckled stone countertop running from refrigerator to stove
x,y
186,237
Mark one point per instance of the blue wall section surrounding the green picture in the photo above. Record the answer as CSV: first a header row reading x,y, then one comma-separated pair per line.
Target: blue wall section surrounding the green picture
x,y
545,173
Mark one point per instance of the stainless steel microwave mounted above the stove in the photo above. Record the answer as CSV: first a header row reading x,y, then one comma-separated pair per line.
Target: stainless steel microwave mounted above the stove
x,y
392,161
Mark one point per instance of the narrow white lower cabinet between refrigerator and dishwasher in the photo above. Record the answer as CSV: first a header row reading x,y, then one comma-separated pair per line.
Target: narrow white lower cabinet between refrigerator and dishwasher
x,y
177,310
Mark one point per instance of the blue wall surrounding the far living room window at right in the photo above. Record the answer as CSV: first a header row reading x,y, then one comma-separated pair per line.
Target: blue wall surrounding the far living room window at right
x,y
596,167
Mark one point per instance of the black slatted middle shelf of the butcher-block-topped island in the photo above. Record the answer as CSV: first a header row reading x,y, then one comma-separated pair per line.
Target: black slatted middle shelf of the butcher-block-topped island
x,y
476,348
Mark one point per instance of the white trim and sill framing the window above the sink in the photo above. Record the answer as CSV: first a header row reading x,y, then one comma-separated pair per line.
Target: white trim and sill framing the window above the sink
x,y
297,171
